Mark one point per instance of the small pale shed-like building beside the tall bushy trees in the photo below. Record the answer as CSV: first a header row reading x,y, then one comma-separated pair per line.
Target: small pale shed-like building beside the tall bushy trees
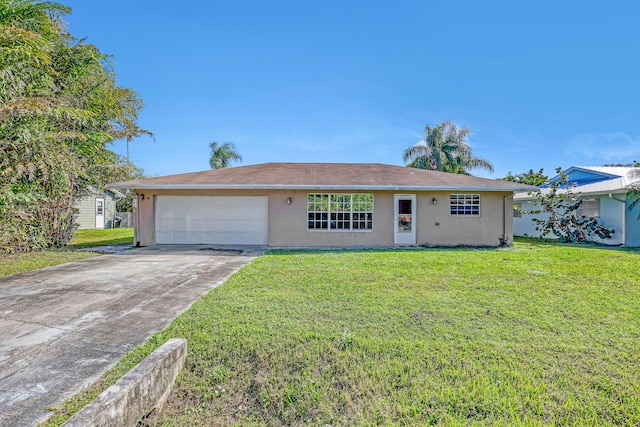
x,y
97,209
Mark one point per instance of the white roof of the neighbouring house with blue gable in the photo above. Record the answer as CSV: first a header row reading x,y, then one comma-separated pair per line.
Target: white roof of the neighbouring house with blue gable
x,y
606,180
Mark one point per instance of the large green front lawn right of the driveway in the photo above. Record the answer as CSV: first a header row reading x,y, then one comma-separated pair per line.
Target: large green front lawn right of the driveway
x,y
536,334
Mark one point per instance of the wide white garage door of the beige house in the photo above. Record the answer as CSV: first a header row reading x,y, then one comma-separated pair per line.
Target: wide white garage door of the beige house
x,y
211,220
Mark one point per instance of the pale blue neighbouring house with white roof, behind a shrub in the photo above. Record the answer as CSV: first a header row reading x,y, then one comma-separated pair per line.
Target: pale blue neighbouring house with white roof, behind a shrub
x,y
604,192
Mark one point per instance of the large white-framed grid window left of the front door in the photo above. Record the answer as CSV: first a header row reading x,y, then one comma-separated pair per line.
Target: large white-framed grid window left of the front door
x,y
340,212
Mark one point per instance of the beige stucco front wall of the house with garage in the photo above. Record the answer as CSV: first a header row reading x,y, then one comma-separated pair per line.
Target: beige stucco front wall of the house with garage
x,y
288,222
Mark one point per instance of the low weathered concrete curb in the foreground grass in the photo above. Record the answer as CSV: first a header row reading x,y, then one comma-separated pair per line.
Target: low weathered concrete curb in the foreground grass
x,y
143,389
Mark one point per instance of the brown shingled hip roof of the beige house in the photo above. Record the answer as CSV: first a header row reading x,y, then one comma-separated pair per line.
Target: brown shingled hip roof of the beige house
x,y
323,176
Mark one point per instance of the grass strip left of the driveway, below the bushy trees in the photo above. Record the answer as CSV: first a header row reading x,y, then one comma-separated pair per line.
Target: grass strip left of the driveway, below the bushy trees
x,y
20,263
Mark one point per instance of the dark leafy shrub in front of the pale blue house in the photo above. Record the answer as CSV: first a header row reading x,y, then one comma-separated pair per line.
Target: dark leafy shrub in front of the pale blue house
x,y
561,205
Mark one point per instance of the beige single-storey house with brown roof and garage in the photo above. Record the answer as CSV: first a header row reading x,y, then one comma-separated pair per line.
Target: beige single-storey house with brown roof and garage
x,y
323,204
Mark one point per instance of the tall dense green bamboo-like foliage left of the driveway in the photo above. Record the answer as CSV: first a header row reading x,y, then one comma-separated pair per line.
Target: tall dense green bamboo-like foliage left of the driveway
x,y
60,107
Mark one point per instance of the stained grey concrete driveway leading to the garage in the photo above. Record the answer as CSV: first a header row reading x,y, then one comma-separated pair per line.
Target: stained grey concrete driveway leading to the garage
x,y
62,327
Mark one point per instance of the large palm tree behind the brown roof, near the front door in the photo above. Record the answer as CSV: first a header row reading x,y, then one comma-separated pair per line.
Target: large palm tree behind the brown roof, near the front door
x,y
445,149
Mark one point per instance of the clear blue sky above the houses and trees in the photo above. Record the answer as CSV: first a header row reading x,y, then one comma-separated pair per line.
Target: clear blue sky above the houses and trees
x,y
541,84
